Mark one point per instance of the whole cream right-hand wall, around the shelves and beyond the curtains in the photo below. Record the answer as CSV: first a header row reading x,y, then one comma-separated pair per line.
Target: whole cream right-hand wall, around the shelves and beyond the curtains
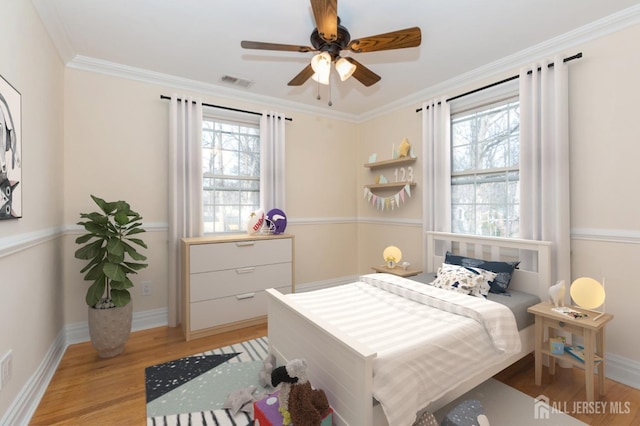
x,y
605,205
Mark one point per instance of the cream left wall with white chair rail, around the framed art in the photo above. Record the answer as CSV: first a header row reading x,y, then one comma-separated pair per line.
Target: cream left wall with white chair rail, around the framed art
x,y
30,259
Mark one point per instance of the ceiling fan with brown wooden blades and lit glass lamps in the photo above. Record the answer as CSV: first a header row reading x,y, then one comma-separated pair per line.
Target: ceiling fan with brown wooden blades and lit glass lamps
x,y
330,38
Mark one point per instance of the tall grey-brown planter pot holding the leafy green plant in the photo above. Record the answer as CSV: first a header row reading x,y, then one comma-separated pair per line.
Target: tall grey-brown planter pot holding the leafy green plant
x,y
110,329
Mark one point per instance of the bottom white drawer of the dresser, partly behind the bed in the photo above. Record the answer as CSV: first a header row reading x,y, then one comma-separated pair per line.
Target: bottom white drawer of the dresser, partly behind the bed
x,y
215,312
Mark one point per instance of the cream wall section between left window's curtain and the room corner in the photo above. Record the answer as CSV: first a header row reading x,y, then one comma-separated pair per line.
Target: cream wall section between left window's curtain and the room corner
x,y
320,204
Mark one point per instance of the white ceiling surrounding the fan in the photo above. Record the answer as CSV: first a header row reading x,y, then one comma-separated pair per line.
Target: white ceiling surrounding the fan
x,y
196,42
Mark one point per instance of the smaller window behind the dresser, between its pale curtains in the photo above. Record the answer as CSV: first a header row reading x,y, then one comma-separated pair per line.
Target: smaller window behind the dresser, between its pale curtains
x,y
231,173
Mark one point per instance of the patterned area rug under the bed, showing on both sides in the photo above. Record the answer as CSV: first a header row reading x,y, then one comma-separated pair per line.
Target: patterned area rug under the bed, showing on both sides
x,y
192,390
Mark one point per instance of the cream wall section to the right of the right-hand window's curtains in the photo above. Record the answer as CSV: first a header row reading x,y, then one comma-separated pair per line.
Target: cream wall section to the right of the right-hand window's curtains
x,y
605,206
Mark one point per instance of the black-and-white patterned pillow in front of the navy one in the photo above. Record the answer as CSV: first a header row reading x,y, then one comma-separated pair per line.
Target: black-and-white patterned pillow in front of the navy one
x,y
465,280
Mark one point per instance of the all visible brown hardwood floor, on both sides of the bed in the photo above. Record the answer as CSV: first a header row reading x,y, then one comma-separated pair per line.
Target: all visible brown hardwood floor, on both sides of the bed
x,y
87,390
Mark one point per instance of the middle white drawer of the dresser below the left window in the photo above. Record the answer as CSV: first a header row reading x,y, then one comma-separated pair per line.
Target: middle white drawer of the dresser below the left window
x,y
214,285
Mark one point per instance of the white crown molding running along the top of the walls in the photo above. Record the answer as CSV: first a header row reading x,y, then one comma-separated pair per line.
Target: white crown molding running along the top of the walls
x,y
594,30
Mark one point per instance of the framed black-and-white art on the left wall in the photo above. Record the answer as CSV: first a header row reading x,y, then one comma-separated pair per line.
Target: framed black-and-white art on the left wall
x,y
10,151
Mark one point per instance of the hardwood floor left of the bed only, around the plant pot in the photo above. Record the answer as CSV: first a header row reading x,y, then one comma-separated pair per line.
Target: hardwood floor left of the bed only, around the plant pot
x,y
87,390
